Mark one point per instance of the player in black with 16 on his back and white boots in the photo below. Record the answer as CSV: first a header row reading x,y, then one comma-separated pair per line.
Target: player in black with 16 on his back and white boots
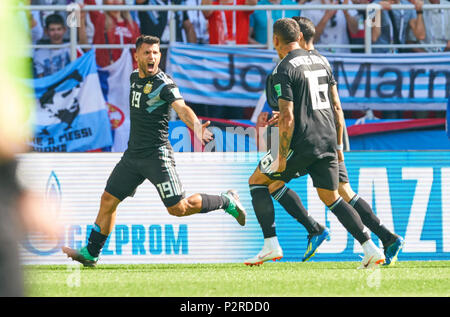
x,y
308,138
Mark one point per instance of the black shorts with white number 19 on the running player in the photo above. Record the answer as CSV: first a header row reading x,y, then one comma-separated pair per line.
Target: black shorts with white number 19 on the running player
x,y
159,169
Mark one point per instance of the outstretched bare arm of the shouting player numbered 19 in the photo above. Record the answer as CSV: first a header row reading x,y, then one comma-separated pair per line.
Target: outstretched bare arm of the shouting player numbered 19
x,y
188,116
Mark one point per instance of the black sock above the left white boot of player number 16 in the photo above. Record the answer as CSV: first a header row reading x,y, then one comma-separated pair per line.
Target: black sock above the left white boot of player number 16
x,y
264,210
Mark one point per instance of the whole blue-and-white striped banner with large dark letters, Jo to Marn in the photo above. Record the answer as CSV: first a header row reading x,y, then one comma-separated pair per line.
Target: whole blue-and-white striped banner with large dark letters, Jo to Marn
x,y
236,77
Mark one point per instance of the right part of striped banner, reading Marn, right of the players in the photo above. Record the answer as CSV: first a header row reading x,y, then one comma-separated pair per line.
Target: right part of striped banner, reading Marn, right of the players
x,y
407,81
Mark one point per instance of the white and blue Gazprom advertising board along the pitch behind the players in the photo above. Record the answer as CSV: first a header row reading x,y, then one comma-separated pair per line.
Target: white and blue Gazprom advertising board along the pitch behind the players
x,y
409,191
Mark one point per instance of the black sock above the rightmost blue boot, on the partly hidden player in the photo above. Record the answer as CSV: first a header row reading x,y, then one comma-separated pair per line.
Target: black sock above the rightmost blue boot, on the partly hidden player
x,y
371,221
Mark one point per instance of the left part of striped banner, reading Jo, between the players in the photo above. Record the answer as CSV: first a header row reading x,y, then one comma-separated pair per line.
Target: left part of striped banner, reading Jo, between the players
x,y
220,75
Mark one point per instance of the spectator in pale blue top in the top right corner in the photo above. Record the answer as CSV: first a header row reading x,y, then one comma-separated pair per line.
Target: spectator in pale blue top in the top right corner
x,y
437,29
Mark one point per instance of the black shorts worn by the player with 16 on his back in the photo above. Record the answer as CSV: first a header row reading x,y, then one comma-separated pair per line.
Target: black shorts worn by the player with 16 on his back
x,y
324,171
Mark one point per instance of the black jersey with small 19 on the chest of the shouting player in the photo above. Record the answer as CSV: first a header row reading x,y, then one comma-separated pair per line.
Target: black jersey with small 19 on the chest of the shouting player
x,y
150,102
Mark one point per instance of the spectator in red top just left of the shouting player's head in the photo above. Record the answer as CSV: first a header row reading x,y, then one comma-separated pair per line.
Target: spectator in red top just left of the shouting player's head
x,y
112,27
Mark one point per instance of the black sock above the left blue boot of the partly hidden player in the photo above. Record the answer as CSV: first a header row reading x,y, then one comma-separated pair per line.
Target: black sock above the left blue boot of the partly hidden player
x,y
292,203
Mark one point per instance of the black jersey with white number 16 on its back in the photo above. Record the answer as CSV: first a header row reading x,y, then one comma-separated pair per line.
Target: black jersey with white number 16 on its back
x,y
305,77
